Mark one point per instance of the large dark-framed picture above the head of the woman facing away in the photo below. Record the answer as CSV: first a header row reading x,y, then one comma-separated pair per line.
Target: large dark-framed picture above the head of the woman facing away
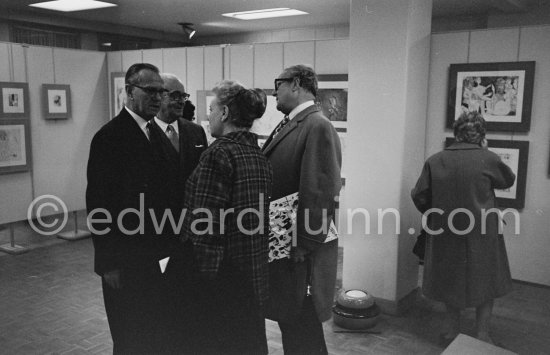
x,y
501,92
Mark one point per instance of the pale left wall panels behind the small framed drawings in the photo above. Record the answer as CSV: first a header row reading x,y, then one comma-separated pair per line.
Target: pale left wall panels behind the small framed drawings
x,y
59,147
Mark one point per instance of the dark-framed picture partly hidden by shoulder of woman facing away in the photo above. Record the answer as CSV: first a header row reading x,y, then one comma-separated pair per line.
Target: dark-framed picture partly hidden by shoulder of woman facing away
x,y
514,154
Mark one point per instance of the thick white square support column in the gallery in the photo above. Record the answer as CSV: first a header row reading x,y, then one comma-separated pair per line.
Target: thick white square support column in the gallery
x,y
388,83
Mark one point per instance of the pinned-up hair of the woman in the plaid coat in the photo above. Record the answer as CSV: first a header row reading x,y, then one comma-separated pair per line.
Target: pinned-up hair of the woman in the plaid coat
x,y
245,105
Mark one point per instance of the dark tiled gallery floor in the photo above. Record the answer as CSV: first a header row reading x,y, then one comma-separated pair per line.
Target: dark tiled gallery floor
x,y
51,303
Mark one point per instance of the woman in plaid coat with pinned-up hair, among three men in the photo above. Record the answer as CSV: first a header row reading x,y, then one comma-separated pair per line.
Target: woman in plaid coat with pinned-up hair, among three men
x,y
227,205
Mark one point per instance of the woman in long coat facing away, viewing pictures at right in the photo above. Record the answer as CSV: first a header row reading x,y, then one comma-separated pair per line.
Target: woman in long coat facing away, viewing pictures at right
x,y
465,261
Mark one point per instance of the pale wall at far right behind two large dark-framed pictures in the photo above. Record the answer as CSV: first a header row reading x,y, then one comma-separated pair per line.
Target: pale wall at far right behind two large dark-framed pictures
x,y
528,251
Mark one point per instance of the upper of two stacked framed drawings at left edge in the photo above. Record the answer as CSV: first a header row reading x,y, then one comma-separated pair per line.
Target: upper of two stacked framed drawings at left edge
x,y
15,100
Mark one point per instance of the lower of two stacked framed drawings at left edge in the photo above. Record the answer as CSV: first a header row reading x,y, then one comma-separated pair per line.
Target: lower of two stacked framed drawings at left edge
x,y
15,152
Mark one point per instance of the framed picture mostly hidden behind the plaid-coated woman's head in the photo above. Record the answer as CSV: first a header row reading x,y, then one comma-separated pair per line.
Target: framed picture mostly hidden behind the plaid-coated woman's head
x,y
262,126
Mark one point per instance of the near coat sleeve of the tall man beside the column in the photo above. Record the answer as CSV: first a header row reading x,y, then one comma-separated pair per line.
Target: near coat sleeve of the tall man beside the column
x,y
320,184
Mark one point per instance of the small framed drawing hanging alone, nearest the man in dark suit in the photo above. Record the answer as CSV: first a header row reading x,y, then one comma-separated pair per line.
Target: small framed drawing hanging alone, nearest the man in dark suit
x,y
56,101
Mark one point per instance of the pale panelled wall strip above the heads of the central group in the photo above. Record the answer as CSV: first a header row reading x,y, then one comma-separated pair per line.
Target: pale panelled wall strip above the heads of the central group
x,y
255,65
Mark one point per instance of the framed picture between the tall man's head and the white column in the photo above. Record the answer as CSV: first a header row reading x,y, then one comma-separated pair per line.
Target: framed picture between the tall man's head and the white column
x,y
332,99
